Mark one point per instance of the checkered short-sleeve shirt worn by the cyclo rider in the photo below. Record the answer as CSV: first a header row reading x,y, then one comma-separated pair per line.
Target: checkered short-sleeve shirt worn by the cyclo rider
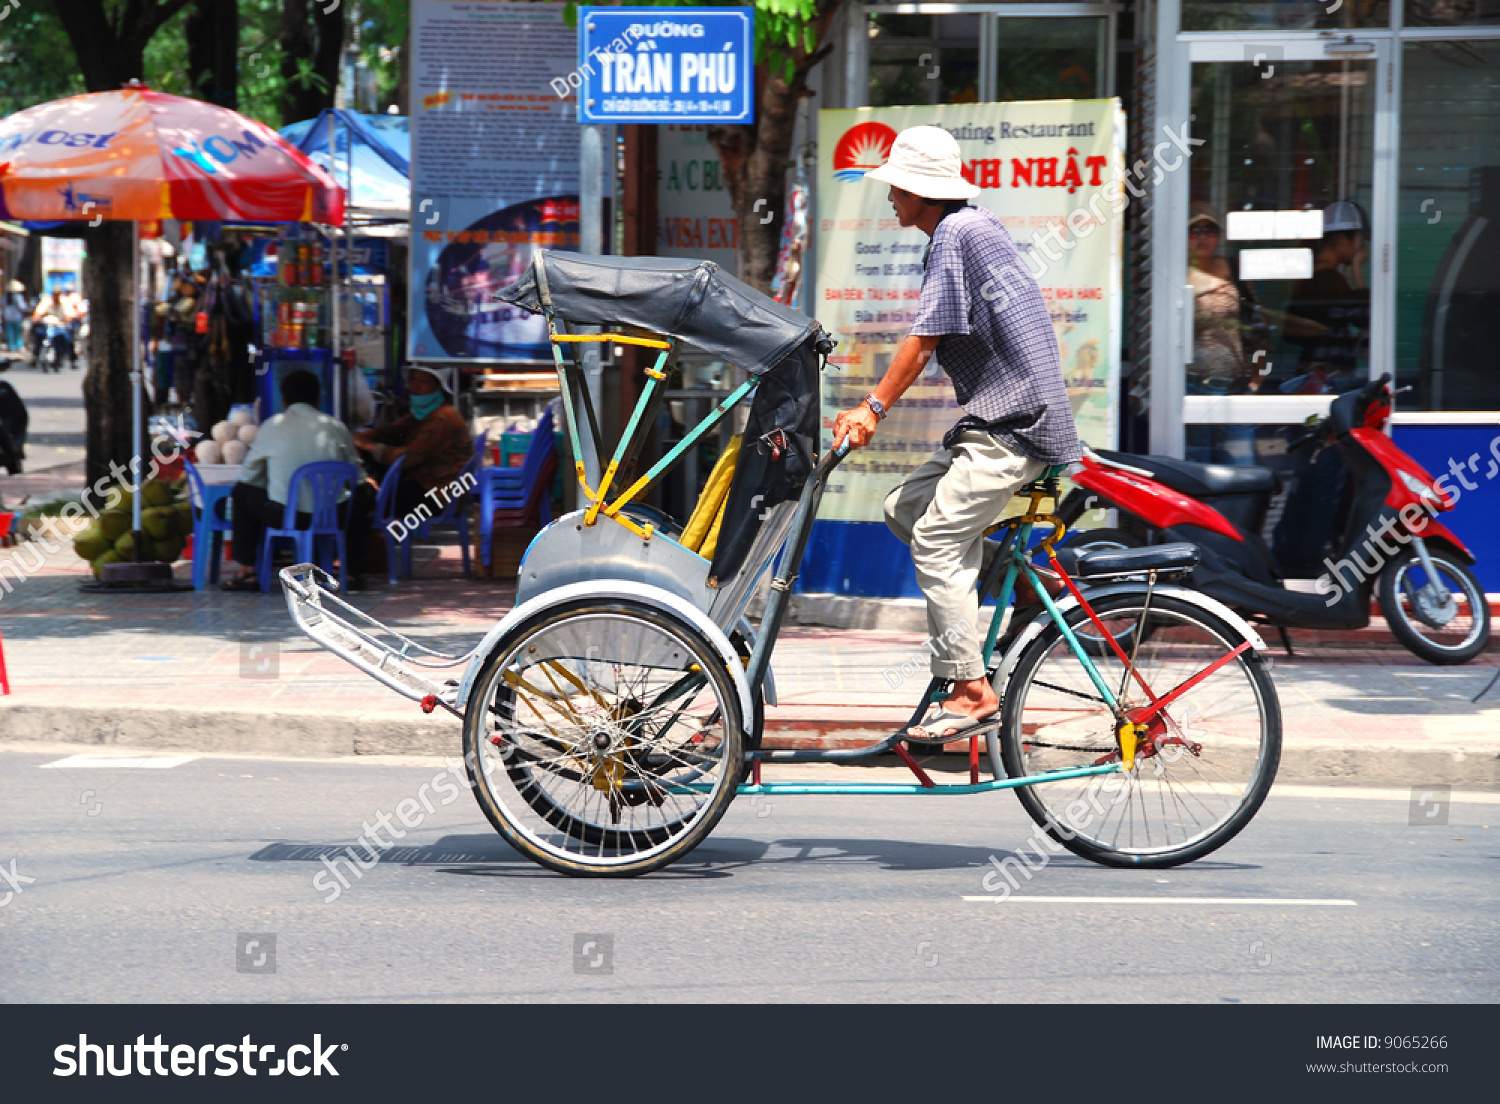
x,y
998,344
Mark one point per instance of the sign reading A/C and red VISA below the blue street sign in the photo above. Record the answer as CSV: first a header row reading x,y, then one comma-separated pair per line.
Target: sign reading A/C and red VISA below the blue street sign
x,y
695,217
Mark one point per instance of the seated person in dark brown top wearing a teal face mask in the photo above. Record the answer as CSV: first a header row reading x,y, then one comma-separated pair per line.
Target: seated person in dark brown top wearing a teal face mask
x,y
433,442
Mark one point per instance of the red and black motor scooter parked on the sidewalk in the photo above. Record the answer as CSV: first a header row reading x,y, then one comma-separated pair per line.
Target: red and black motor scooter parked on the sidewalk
x,y
1391,545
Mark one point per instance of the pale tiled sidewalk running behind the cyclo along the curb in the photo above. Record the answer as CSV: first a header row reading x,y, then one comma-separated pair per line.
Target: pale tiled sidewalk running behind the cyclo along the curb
x,y
185,659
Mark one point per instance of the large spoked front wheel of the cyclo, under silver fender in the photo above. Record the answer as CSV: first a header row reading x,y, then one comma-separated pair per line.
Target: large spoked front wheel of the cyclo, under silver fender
x,y
587,671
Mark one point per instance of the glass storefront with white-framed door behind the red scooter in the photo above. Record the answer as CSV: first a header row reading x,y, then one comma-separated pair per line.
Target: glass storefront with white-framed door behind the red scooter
x,y
1337,218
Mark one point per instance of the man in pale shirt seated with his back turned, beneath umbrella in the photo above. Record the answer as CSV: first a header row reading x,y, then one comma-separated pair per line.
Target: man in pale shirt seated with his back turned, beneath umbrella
x,y
299,436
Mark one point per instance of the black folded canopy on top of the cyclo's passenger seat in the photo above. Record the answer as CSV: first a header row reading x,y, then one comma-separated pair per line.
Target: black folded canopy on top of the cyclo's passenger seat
x,y
694,302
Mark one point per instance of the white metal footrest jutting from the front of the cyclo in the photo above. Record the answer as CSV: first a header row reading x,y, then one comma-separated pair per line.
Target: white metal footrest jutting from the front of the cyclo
x,y
407,667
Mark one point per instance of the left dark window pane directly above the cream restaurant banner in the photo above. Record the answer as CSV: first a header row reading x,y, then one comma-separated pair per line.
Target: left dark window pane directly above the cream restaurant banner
x,y
923,59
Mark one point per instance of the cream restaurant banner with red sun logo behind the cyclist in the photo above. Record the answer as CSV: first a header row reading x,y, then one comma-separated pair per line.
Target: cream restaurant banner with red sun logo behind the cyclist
x,y
1043,169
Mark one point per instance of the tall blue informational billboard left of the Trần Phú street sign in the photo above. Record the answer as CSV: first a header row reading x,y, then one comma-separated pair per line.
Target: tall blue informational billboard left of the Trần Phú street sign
x,y
494,172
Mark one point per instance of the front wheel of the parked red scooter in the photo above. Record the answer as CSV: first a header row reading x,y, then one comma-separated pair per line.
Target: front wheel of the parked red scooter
x,y
1400,590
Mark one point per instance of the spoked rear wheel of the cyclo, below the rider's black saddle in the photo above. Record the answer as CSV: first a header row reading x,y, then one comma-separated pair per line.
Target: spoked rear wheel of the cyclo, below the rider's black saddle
x,y
1234,716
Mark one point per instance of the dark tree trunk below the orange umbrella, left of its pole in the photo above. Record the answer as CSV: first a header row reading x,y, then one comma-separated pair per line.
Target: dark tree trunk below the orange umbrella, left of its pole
x,y
107,385
